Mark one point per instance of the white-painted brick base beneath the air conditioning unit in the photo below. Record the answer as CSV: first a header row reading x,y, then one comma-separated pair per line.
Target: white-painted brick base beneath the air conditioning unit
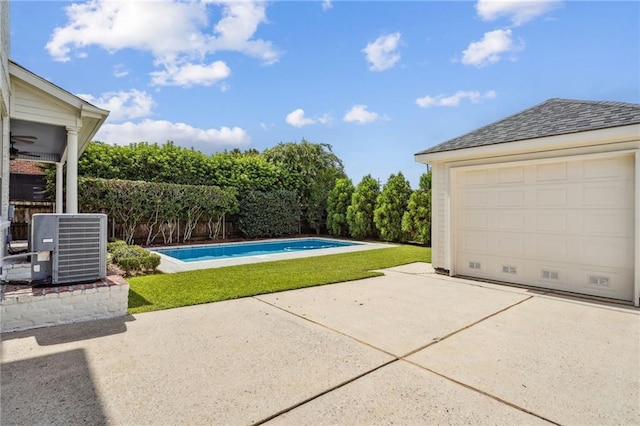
x,y
25,307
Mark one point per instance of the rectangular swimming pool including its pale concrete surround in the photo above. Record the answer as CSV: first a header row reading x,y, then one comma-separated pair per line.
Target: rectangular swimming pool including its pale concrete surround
x,y
189,258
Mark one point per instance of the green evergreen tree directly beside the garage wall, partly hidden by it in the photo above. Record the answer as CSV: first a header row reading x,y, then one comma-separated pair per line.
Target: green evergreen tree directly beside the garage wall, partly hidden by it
x,y
416,222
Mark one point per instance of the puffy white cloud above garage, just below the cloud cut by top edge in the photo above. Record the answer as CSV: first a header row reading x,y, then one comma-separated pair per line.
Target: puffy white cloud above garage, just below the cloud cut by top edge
x,y
490,49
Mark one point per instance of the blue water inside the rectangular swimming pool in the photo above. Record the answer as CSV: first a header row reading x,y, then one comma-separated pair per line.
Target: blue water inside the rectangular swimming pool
x,y
225,251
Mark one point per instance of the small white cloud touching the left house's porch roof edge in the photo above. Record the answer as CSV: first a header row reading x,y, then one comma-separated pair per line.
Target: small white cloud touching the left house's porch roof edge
x,y
123,105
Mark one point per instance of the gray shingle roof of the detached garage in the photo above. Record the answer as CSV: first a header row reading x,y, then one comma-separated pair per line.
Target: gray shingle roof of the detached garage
x,y
550,118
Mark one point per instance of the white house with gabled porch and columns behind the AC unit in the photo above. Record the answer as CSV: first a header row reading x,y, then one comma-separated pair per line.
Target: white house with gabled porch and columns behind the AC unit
x,y
40,122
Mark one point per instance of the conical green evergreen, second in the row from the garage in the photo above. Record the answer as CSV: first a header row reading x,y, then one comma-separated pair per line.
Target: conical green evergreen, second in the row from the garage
x,y
390,207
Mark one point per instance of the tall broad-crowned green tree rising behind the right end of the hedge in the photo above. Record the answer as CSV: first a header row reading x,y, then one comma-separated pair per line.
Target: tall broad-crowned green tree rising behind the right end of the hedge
x,y
313,169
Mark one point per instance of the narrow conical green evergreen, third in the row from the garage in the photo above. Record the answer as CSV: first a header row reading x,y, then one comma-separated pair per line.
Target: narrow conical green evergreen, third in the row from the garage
x,y
360,211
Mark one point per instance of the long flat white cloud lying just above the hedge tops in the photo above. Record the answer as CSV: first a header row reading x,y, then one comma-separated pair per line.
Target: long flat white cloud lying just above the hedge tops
x,y
182,134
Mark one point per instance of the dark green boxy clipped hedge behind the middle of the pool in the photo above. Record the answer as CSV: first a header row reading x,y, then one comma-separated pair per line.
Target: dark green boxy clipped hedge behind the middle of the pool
x,y
269,214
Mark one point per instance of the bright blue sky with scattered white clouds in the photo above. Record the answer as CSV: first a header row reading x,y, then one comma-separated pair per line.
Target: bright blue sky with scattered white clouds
x,y
379,81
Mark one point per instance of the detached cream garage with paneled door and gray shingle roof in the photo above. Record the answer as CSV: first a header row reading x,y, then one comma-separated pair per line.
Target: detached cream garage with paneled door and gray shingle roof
x,y
548,197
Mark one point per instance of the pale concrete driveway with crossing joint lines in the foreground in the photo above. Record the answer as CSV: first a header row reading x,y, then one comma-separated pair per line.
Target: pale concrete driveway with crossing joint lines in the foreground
x,y
411,347
